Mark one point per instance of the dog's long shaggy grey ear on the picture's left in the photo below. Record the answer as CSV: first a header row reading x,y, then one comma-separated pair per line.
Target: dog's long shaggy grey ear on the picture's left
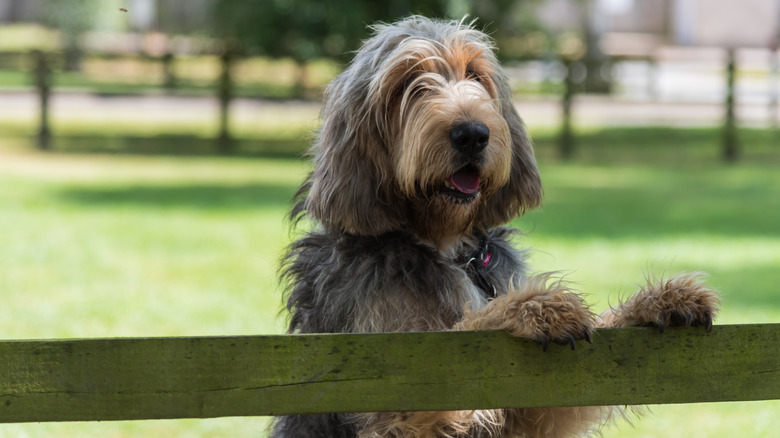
x,y
351,187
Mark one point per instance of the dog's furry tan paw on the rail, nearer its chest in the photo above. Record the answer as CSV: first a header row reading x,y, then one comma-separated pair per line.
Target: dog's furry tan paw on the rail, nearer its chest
x,y
540,310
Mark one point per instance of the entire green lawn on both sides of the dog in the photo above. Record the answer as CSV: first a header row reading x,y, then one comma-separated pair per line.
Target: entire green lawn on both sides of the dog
x,y
95,245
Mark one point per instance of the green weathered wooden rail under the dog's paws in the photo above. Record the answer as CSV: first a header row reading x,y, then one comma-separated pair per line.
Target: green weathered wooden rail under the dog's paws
x,y
203,377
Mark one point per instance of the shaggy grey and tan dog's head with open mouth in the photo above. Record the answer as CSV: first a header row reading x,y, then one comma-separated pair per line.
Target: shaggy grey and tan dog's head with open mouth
x,y
420,133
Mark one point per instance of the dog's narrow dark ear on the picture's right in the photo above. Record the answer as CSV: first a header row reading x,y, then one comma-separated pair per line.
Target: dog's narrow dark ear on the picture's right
x,y
524,188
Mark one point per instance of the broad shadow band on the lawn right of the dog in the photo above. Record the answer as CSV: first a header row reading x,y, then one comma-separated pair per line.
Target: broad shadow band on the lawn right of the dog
x,y
729,202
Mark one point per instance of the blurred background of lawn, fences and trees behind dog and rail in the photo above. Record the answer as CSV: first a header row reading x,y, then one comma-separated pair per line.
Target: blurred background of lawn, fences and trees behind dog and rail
x,y
149,150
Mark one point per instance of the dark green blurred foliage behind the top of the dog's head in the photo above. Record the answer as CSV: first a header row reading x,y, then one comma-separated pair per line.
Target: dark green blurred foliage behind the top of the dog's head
x,y
308,29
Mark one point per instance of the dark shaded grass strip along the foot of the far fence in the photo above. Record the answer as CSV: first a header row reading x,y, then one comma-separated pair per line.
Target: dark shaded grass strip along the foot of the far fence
x,y
660,146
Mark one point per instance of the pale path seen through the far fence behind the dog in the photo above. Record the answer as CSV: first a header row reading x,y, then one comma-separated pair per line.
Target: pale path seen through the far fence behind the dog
x,y
537,111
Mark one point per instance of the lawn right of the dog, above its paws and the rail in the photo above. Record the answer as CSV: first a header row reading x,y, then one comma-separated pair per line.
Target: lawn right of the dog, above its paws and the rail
x,y
608,227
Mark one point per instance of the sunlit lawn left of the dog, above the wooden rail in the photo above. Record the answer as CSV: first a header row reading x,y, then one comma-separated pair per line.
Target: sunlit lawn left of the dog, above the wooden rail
x,y
191,246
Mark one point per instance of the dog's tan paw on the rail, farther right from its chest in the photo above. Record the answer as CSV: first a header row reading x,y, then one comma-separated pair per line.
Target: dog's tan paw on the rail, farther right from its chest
x,y
683,300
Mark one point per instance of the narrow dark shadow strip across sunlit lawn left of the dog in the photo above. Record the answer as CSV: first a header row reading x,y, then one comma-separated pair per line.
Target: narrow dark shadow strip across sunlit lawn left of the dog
x,y
207,197
